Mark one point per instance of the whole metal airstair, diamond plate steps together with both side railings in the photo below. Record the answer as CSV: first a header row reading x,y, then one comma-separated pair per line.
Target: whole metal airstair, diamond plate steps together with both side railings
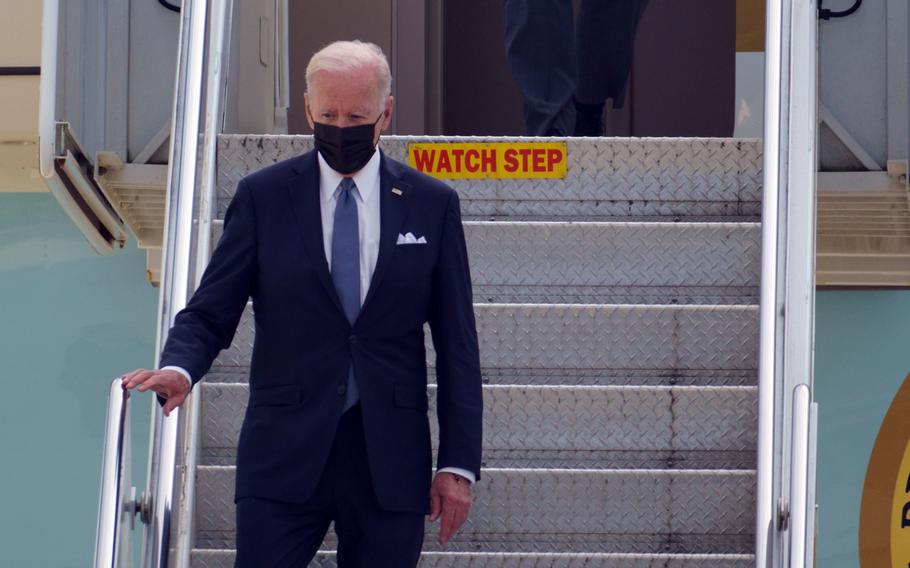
x,y
642,409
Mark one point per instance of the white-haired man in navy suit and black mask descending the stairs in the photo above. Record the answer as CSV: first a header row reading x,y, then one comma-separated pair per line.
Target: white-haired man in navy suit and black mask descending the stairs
x,y
346,253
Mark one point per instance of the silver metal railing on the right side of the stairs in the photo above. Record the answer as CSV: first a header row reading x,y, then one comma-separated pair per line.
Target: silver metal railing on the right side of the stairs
x,y
785,469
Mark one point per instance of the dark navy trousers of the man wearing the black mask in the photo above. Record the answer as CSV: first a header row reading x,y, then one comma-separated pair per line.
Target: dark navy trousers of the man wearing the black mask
x,y
278,534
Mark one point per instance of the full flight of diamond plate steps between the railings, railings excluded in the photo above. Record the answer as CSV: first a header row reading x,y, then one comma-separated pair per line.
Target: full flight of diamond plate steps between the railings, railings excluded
x,y
617,313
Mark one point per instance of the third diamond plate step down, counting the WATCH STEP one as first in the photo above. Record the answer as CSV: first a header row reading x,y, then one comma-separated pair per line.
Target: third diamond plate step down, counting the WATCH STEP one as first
x,y
592,337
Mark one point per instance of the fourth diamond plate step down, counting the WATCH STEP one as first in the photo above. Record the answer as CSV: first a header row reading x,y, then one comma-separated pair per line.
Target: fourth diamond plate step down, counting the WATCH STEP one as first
x,y
541,426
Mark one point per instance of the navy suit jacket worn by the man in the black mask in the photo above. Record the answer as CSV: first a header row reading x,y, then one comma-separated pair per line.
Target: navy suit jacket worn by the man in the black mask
x,y
272,250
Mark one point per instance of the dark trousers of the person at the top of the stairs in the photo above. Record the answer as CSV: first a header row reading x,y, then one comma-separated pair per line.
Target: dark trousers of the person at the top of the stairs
x,y
553,59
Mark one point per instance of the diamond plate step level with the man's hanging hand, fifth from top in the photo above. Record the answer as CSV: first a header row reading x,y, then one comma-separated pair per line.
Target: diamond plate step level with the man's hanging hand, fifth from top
x,y
585,510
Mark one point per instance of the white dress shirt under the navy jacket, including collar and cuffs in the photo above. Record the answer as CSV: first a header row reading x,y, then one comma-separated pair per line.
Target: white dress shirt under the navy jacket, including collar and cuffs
x,y
367,198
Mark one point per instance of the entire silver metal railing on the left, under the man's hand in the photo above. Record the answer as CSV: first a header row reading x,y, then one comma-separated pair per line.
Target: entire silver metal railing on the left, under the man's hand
x,y
166,507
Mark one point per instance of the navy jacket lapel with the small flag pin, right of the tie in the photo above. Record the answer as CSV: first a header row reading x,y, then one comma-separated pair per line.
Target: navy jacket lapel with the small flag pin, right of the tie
x,y
392,212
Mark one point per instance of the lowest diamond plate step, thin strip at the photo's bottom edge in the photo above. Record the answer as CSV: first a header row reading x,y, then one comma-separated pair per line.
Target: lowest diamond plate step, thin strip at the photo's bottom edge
x,y
326,559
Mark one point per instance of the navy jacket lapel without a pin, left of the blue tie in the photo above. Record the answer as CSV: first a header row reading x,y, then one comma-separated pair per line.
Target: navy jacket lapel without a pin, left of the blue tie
x,y
303,191
